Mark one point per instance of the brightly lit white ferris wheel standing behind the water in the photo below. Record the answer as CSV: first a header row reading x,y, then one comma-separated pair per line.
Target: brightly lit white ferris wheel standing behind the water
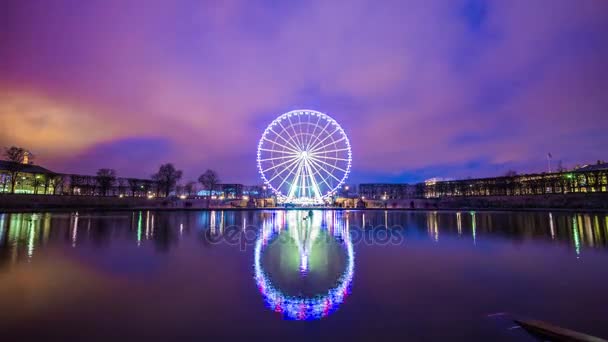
x,y
304,156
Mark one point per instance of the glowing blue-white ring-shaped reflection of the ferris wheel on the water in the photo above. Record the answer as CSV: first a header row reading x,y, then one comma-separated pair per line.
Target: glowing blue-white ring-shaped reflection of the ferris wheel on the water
x,y
306,232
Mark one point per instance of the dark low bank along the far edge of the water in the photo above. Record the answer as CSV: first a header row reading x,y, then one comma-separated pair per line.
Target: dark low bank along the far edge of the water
x,y
568,202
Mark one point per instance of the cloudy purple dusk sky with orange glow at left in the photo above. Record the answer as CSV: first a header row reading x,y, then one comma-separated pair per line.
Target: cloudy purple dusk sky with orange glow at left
x,y
446,88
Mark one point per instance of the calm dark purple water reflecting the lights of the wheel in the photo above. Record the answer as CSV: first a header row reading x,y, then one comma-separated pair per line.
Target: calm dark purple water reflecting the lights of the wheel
x,y
332,275
